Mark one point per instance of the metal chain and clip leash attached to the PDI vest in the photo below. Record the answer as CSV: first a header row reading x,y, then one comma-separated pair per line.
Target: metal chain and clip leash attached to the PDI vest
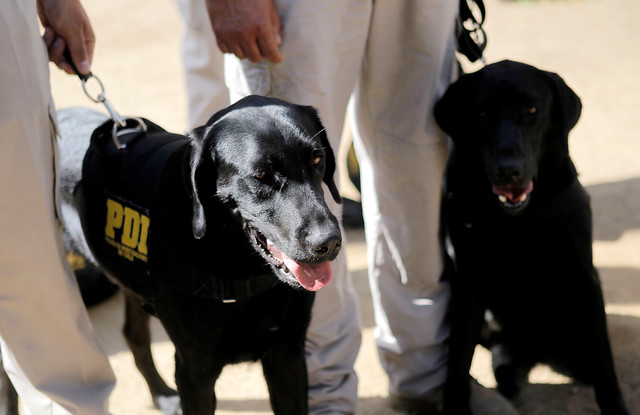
x,y
121,125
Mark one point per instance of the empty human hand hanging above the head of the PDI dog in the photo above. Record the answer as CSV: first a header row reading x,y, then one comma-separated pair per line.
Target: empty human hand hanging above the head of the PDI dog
x,y
247,28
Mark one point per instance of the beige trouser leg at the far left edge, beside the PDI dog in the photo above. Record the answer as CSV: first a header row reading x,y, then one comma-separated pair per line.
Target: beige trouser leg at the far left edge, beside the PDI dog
x,y
48,345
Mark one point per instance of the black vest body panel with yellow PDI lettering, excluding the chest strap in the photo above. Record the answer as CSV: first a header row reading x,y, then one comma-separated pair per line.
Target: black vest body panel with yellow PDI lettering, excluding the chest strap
x,y
119,187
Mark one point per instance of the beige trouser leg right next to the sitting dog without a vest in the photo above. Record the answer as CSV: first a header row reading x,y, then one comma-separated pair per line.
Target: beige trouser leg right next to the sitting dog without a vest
x,y
409,62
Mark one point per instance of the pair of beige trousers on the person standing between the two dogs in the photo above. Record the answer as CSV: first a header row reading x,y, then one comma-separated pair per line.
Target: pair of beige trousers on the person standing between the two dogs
x,y
398,55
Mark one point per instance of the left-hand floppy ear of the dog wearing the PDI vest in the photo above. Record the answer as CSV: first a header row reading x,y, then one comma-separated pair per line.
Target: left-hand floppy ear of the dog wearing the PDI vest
x,y
200,139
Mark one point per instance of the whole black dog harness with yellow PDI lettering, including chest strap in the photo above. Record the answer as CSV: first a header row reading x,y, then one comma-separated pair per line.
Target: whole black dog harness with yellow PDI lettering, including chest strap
x,y
120,183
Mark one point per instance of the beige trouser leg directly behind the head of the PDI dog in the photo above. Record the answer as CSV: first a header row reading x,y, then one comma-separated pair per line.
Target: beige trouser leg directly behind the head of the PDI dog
x,y
322,46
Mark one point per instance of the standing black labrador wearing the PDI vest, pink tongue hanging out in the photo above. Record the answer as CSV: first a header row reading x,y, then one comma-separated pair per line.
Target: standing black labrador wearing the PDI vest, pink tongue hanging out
x,y
238,239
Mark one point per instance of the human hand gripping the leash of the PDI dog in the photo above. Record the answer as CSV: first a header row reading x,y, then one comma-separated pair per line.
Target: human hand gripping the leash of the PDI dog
x,y
66,25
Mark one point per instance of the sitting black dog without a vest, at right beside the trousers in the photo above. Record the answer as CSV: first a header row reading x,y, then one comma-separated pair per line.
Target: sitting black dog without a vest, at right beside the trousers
x,y
520,225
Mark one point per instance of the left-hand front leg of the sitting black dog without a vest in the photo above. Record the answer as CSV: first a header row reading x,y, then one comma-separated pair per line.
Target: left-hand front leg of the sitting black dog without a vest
x,y
466,316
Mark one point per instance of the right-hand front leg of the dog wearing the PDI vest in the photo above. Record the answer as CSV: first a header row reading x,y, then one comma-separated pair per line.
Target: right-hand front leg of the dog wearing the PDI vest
x,y
285,371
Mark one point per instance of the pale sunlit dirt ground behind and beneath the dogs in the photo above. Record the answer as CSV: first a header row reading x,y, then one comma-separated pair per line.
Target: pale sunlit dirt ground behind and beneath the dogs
x,y
591,43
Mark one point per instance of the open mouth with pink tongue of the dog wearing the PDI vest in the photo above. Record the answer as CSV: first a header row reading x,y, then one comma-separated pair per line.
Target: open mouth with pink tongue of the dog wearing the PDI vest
x,y
311,277
